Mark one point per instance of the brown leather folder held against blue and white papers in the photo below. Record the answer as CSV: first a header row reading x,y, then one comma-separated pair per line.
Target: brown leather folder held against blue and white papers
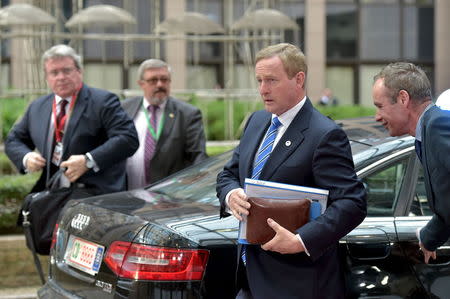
x,y
289,213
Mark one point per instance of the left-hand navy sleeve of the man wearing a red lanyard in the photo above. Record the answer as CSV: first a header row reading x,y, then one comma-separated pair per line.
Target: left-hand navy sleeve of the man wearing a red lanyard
x,y
19,142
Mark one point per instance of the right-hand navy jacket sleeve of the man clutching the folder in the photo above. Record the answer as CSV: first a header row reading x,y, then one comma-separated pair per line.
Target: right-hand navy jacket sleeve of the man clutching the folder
x,y
333,170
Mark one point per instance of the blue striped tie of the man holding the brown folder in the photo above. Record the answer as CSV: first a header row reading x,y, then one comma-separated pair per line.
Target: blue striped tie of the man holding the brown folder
x,y
261,159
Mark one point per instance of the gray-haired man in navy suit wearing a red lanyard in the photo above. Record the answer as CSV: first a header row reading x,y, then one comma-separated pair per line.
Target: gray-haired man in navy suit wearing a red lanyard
x,y
76,127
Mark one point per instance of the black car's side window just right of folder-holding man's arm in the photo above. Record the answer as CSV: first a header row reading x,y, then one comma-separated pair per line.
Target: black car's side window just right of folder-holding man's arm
x,y
383,187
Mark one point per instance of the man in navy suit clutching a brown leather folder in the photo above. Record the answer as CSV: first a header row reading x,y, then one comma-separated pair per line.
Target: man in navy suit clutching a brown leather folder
x,y
309,150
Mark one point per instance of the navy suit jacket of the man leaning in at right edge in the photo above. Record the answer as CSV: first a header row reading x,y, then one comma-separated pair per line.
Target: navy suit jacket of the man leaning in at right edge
x,y
436,166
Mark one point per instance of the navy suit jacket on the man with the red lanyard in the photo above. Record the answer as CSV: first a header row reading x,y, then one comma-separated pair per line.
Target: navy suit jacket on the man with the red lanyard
x,y
97,125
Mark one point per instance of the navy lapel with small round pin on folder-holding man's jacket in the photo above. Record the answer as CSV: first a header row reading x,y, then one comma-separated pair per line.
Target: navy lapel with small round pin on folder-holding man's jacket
x,y
291,140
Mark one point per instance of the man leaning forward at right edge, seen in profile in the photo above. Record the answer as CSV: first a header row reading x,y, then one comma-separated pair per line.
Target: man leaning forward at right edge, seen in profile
x,y
402,95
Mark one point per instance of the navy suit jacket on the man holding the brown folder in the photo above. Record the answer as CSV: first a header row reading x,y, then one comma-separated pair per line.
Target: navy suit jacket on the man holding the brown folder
x,y
318,155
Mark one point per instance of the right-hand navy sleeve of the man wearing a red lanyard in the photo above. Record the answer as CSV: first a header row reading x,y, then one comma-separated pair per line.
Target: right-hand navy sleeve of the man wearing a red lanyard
x,y
122,140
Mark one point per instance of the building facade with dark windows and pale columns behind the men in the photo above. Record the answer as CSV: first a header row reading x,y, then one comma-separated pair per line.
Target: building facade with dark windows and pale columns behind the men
x,y
345,41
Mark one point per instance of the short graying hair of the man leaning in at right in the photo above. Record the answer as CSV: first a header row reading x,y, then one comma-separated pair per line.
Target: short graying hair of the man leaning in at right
x,y
405,76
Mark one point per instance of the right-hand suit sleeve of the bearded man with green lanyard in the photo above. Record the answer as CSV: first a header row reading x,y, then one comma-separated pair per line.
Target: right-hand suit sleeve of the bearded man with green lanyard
x,y
195,147
